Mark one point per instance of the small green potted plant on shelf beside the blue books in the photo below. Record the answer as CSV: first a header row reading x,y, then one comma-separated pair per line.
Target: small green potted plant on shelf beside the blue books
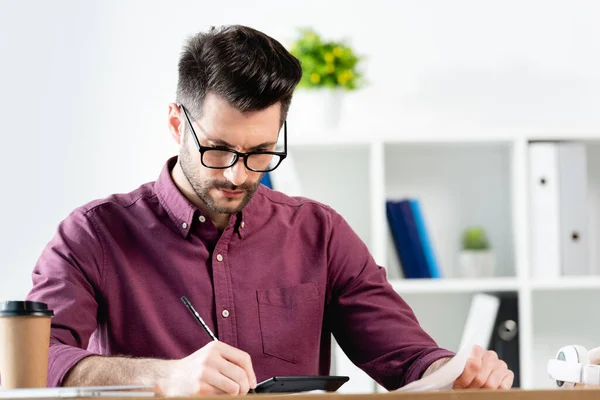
x,y
476,258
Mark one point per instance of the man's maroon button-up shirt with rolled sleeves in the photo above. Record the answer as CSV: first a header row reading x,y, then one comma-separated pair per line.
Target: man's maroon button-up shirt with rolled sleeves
x,y
285,274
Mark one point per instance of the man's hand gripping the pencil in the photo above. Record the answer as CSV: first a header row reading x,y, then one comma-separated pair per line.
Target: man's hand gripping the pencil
x,y
216,368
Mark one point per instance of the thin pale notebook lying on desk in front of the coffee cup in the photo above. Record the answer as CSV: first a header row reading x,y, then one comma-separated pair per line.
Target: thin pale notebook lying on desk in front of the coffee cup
x,y
76,391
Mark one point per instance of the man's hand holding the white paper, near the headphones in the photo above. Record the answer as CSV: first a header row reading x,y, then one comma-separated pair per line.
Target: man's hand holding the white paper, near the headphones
x,y
484,370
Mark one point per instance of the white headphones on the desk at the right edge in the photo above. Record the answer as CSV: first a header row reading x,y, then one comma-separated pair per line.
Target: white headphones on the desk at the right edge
x,y
575,366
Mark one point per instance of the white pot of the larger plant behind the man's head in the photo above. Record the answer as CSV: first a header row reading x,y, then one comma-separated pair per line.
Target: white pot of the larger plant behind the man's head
x,y
316,110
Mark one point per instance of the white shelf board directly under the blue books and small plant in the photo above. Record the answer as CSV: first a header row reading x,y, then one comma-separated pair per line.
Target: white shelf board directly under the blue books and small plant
x,y
454,285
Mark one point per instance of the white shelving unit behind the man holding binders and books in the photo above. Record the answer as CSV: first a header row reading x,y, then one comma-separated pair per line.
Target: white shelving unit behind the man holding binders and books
x,y
461,178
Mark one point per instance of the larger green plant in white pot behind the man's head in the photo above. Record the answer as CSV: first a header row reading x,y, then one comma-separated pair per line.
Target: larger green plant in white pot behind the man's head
x,y
330,68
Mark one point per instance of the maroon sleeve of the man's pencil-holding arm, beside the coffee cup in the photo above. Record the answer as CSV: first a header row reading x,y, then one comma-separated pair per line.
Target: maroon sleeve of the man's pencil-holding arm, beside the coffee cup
x,y
67,277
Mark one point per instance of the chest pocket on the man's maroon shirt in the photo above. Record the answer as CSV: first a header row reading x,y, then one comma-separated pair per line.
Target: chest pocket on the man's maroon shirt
x,y
290,320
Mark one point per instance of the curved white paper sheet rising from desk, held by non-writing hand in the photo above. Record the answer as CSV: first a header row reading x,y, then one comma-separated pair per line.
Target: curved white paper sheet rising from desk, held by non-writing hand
x,y
444,377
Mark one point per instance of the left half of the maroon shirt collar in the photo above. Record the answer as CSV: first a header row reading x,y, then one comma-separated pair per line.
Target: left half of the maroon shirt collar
x,y
180,209
